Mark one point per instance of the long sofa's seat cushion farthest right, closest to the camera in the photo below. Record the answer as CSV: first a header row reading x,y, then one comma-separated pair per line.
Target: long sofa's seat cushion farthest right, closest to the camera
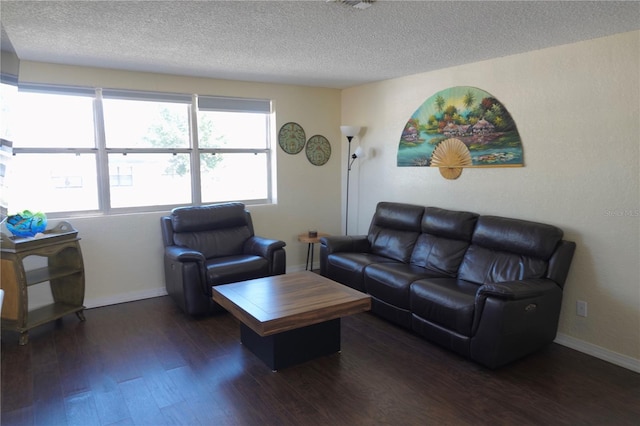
x,y
448,302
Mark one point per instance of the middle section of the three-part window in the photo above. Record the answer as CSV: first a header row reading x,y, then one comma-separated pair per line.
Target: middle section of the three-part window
x,y
143,136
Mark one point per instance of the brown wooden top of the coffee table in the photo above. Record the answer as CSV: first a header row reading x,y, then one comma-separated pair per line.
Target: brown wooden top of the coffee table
x,y
285,302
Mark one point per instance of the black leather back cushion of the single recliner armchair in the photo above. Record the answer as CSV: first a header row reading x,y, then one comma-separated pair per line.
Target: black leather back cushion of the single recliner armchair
x,y
215,230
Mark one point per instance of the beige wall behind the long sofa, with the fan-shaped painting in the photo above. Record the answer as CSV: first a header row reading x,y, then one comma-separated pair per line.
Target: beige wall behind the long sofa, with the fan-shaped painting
x,y
577,111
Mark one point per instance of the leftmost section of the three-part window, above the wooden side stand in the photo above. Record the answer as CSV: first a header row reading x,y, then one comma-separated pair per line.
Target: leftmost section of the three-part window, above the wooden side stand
x,y
54,168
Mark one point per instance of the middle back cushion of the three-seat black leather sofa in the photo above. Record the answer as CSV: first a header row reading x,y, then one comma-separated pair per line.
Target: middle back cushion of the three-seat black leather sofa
x,y
445,237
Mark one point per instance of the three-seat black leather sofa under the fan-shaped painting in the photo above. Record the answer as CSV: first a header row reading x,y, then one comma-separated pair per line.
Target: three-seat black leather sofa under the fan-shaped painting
x,y
486,287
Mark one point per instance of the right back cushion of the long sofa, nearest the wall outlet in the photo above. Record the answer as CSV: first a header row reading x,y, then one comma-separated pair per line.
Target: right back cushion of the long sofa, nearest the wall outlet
x,y
504,249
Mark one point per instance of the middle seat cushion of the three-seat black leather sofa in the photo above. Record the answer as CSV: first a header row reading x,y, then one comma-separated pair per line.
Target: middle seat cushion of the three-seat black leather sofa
x,y
390,282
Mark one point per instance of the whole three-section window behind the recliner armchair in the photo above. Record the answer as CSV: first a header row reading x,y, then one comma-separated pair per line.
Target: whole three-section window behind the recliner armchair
x,y
107,151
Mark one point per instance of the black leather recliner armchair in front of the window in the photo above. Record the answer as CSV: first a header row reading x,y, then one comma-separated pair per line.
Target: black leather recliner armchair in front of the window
x,y
212,245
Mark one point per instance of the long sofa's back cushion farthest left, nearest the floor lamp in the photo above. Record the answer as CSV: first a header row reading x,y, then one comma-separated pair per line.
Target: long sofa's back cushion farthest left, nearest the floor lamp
x,y
394,230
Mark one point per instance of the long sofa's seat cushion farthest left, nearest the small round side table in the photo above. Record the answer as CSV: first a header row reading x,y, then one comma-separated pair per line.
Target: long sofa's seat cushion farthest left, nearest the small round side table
x,y
348,268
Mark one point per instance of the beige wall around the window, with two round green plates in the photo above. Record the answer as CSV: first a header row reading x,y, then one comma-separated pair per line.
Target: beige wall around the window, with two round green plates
x,y
123,254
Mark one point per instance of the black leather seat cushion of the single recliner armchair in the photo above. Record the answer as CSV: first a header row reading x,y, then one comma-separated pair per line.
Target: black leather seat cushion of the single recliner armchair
x,y
229,269
